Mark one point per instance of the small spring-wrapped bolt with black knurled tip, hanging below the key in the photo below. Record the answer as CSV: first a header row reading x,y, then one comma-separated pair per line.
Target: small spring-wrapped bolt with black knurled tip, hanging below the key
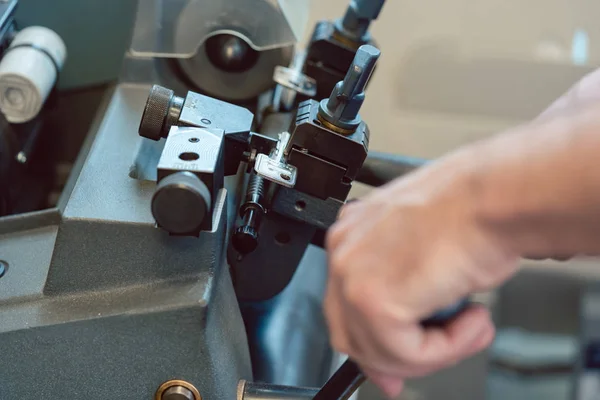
x,y
245,238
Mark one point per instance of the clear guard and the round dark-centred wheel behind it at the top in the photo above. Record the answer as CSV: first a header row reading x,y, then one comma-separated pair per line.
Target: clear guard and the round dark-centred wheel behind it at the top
x,y
222,48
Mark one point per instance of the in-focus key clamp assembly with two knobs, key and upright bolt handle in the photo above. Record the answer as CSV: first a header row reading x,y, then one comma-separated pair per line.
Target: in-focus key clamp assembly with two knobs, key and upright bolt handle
x,y
301,177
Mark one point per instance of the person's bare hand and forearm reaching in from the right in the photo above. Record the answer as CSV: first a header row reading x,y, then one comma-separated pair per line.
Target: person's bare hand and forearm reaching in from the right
x,y
459,226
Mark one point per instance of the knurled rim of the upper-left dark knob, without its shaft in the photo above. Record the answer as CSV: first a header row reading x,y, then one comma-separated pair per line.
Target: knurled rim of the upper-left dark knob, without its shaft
x,y
152,125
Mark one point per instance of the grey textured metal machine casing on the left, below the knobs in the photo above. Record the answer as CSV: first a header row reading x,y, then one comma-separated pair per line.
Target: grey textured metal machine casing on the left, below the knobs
x,y
95,276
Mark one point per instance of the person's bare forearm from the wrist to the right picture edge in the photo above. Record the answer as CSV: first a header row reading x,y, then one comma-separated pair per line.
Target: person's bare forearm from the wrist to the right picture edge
x,y
538,186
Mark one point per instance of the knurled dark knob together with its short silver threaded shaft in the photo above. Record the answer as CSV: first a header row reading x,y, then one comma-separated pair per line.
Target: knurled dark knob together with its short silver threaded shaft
x,y
161,111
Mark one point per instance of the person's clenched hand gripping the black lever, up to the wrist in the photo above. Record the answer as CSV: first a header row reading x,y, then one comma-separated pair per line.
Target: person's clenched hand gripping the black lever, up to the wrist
x,y
398,256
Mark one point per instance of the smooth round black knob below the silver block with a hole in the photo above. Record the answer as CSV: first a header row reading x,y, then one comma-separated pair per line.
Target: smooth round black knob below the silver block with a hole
x,y
181,203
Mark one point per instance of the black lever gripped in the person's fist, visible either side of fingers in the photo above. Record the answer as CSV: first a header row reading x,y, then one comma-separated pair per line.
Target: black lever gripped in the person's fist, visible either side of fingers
x,y
348,378
